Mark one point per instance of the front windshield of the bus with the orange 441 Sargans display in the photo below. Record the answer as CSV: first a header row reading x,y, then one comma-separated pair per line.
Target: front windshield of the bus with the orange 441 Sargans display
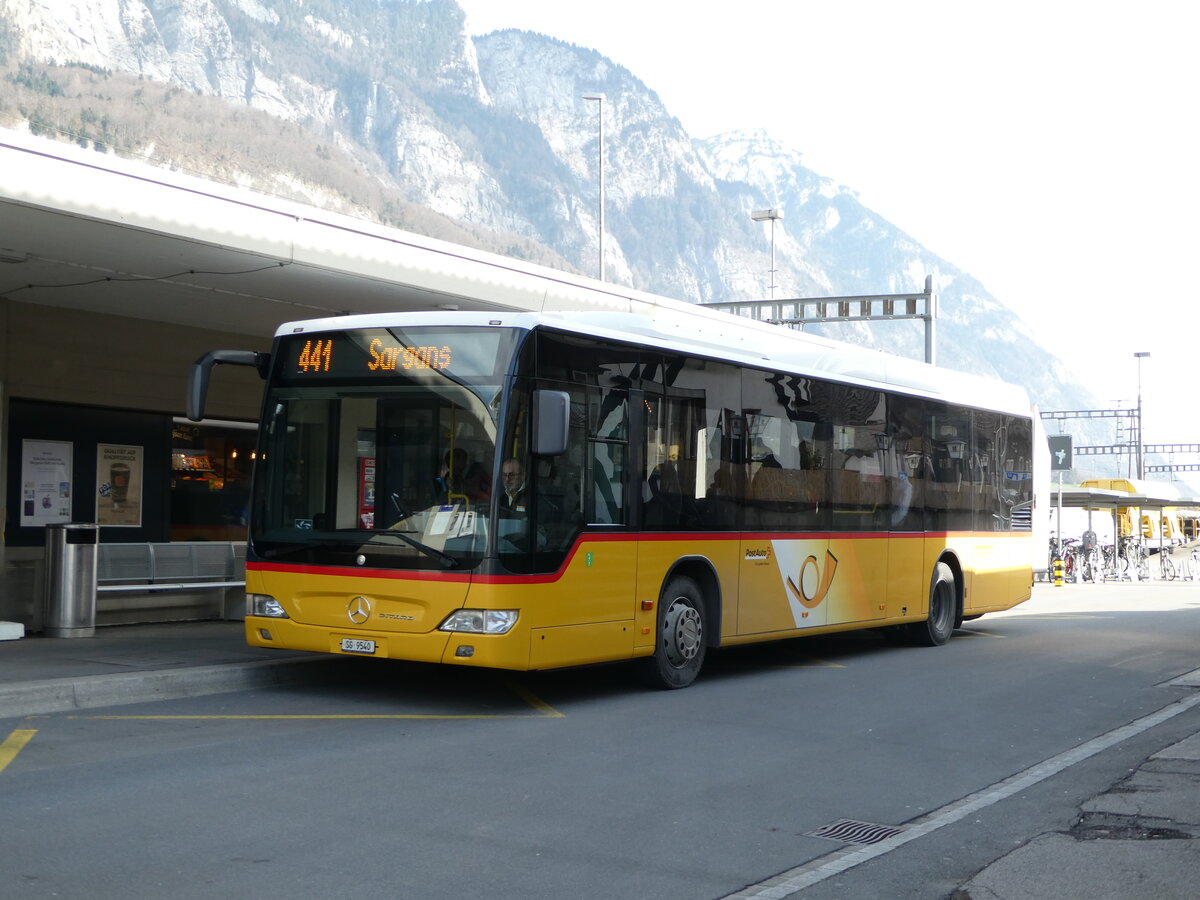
x,y
379,447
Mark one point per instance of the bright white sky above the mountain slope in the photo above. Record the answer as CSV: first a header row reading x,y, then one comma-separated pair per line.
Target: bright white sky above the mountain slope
x,y
1048,148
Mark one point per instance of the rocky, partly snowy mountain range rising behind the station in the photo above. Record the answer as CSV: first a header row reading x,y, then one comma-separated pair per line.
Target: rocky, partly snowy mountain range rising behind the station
x,y
388,110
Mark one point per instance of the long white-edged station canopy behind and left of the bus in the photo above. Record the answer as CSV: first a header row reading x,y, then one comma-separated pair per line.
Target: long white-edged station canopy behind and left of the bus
x,y
88,231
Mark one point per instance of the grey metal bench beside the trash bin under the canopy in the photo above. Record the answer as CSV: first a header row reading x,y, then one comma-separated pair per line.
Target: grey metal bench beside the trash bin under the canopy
x,y
191,566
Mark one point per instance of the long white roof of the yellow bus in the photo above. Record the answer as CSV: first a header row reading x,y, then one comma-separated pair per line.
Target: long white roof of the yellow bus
x,y
687,328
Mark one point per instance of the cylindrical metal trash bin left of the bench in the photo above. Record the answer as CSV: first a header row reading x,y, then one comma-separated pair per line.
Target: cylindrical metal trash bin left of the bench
x,y
71,580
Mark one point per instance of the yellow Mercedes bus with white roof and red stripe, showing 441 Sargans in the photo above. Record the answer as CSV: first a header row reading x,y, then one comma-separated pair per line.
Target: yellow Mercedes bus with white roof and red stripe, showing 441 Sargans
x,y
529,491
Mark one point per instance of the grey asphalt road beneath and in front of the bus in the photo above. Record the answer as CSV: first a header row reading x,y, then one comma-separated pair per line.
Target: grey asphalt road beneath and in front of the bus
x,y
411,782
